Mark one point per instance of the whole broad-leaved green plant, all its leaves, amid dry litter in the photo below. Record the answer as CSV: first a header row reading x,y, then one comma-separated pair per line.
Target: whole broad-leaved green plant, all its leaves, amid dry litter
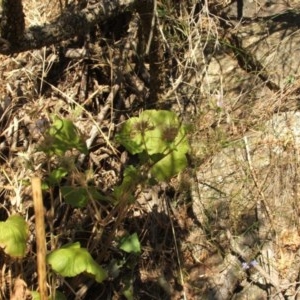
x,y
159,140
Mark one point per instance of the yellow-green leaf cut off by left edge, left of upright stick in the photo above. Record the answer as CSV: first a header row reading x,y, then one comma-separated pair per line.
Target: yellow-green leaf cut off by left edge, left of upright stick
x,y
13,236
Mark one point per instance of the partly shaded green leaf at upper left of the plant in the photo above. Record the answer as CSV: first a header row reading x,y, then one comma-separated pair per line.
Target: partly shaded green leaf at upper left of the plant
x,y
63,136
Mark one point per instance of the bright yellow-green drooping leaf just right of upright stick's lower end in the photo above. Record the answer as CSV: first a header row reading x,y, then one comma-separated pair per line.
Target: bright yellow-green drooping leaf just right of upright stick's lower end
x,y
72,260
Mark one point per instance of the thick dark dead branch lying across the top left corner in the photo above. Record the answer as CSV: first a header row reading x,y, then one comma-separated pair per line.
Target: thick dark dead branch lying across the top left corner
x,y
67,25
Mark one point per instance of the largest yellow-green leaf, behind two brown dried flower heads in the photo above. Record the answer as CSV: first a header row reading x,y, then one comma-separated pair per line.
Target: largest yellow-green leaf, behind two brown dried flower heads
x,y
160,140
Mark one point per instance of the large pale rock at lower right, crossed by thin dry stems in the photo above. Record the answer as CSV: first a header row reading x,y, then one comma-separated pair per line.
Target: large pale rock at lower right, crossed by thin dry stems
x,y
251,189
